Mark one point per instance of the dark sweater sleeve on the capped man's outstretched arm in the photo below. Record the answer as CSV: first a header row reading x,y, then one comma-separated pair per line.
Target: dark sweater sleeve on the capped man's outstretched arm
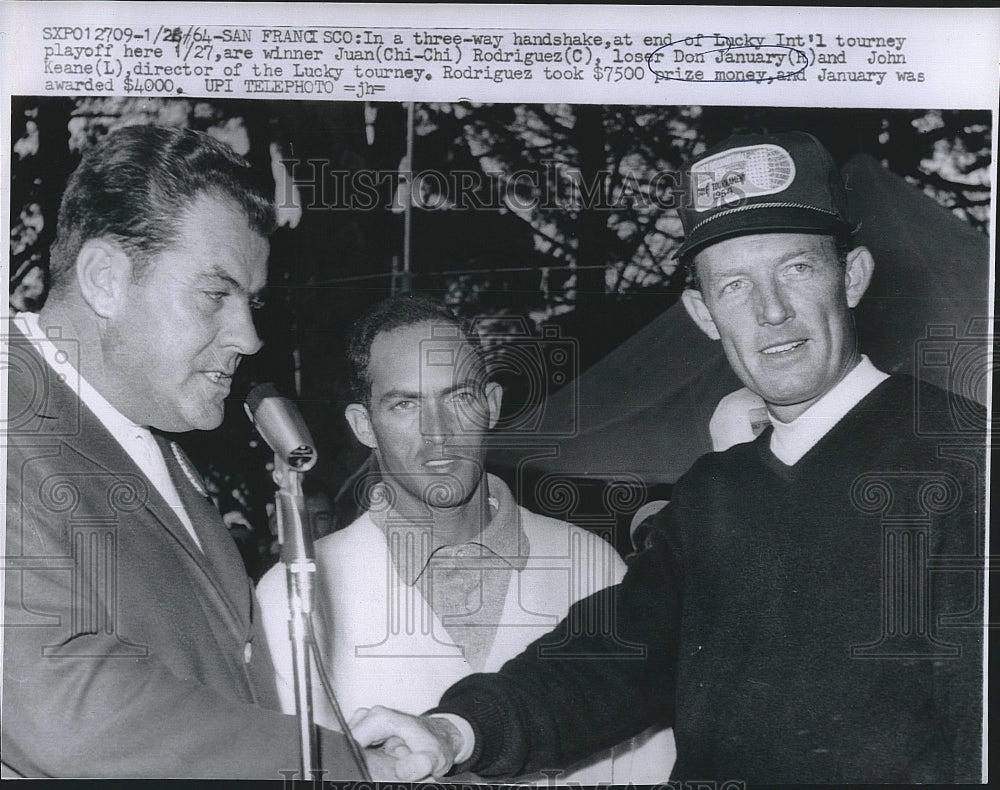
x,y
604,674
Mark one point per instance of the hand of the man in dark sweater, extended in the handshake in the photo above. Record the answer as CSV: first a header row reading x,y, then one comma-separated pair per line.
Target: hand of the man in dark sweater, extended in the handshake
x,y
422,747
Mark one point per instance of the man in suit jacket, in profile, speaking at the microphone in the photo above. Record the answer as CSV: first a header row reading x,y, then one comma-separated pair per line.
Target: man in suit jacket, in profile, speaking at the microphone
x,y
131,644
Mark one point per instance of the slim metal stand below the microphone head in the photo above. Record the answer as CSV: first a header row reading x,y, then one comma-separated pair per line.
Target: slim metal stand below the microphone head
x,y
296,540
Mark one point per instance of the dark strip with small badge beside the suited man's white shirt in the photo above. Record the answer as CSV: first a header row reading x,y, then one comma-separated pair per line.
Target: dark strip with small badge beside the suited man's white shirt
x,y
219,548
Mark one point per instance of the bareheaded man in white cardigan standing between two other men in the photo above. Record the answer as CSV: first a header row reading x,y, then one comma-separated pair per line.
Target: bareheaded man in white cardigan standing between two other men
x,y
444,574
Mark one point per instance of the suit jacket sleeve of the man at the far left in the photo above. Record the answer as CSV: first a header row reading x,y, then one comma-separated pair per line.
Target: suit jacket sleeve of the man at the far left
x,y
77,704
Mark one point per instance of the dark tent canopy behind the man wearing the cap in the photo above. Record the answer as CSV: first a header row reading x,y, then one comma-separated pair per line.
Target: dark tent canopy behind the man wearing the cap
x,y
642,413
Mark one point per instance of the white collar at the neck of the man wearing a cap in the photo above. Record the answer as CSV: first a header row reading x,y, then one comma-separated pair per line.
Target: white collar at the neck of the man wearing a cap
x,y
792,440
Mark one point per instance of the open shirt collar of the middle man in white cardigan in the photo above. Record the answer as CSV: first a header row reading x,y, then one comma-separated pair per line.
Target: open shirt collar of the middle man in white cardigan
x,y
412,544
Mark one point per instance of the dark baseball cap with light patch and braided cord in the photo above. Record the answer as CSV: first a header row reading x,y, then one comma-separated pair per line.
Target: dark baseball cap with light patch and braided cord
x,y
760,183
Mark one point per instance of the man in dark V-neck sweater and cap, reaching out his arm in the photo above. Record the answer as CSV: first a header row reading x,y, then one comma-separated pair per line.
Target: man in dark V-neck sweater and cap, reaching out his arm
x,y
810,603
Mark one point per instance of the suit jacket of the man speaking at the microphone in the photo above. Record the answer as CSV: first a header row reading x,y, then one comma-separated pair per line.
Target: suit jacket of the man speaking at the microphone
x,y
127,651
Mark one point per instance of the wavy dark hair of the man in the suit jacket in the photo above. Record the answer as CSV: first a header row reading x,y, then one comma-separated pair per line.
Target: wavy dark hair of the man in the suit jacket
x,y
135,184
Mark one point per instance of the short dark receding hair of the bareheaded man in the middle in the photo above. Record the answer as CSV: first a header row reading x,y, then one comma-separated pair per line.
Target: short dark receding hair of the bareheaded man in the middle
x,y
396,312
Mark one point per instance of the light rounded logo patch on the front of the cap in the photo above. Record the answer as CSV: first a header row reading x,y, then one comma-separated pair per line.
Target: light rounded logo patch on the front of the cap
x,y
731,176
